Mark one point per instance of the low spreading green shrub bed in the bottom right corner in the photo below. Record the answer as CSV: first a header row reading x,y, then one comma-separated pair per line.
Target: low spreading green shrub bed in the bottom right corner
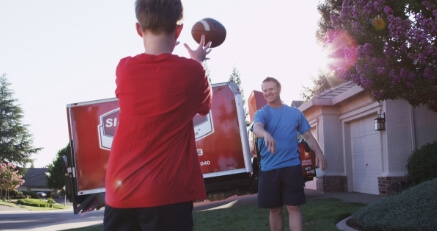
x,y
412,209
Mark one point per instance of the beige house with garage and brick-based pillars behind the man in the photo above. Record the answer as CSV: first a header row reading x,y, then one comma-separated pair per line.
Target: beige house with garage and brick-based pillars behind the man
x,y
360,157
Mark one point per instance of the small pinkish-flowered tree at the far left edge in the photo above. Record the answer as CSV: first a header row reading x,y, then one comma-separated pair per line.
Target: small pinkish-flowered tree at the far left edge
x,y
9,178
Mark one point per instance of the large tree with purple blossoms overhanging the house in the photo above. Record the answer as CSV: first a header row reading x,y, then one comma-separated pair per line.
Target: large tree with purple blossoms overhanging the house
x,y
388,47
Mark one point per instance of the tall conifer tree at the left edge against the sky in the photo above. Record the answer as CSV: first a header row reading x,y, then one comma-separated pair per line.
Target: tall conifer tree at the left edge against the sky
x,y
15,140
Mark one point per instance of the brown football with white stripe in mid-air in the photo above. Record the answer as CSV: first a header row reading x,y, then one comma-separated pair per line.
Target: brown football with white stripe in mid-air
x,y
213,30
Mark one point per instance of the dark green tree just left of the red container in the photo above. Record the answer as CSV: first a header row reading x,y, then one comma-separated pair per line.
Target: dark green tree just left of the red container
x,y
56,180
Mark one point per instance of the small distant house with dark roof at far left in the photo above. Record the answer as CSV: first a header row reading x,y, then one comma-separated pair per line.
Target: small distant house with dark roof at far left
x,y
35,180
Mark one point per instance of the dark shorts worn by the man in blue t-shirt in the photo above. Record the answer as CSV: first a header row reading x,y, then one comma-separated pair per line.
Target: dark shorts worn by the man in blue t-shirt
x,y
281,186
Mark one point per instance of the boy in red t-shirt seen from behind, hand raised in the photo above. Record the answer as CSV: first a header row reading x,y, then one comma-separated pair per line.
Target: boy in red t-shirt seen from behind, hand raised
x,y
153,173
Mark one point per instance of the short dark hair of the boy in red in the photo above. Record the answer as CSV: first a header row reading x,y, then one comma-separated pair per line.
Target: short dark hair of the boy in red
x,y
159,15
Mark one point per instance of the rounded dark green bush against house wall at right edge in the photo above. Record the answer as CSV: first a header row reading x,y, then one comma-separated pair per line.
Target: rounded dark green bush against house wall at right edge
x,y
422,164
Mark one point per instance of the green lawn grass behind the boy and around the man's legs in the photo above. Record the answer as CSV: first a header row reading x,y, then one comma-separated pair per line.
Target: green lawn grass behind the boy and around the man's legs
x,y
319,215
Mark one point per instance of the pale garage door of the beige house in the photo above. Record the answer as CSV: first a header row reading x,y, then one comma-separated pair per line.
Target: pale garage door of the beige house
x,y
366,156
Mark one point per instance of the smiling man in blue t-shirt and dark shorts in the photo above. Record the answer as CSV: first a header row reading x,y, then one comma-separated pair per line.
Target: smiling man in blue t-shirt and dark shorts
x,y
281,178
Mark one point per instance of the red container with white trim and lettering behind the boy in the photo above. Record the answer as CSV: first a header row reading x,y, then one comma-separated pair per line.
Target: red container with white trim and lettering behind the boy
x,y
221,140
